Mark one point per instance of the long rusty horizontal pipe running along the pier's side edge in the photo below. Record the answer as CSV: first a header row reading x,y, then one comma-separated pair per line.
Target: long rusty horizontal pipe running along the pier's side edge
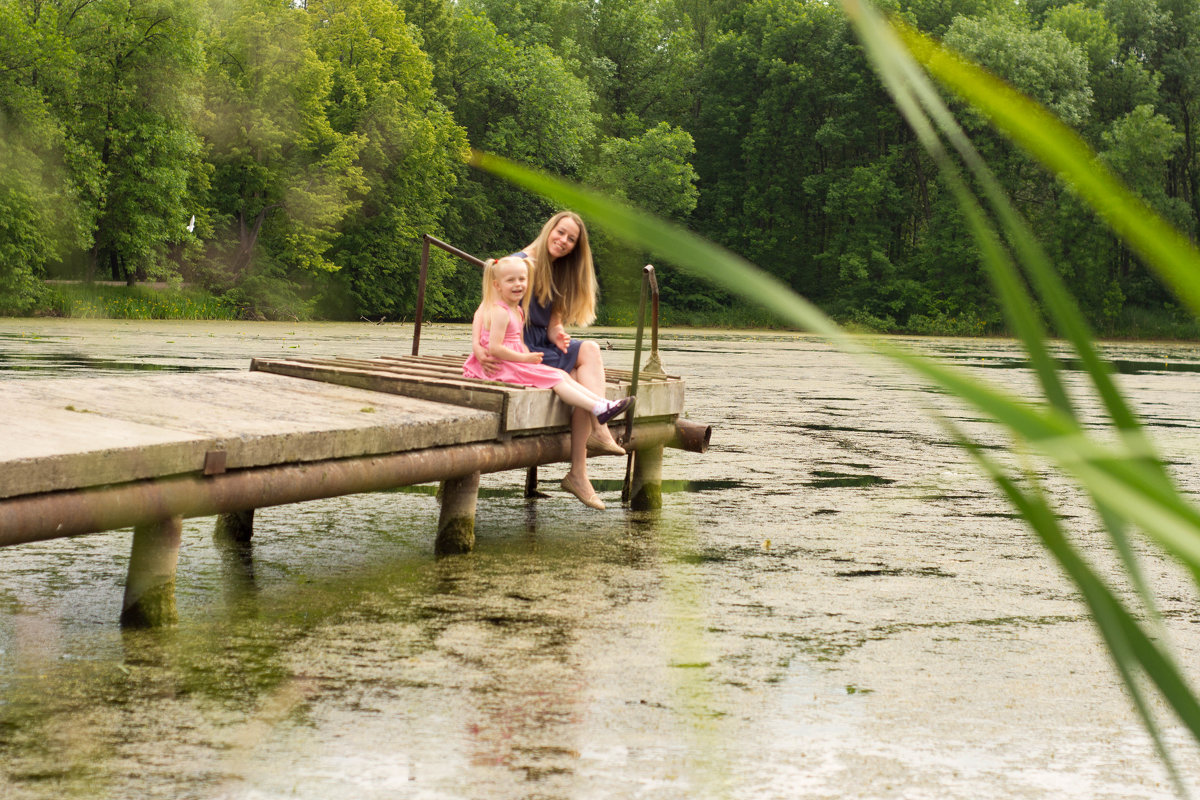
x,y
87,512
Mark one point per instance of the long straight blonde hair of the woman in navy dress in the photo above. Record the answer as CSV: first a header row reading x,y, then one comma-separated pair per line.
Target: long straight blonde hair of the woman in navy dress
x,y
568,284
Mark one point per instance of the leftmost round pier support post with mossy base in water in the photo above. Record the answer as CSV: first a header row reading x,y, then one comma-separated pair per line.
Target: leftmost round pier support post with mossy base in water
x,y
151,586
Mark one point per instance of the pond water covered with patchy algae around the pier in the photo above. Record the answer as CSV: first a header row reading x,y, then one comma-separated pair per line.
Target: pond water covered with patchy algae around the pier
x,y
832,604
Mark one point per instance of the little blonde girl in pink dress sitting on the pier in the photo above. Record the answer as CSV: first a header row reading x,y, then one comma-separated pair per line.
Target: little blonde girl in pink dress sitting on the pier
x,y
496,333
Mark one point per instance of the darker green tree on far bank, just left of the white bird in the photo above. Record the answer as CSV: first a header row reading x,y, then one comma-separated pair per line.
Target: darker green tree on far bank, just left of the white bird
x,y
139,73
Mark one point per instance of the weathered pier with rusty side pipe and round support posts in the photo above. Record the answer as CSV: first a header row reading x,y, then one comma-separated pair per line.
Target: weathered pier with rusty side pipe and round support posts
x,y
87,455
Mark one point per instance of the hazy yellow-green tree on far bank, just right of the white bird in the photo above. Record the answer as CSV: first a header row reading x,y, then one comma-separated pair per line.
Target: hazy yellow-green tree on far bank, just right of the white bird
x,y
284,178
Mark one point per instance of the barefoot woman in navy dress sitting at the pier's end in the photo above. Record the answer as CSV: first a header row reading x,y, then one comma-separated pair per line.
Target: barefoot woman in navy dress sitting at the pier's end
x,y
563,288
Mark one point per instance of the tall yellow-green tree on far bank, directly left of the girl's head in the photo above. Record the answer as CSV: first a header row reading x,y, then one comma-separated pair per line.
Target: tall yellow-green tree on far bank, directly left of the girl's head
x,y
382,93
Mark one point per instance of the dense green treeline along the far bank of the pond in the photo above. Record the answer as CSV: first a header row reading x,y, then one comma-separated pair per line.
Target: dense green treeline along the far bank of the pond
x,y
290,155
